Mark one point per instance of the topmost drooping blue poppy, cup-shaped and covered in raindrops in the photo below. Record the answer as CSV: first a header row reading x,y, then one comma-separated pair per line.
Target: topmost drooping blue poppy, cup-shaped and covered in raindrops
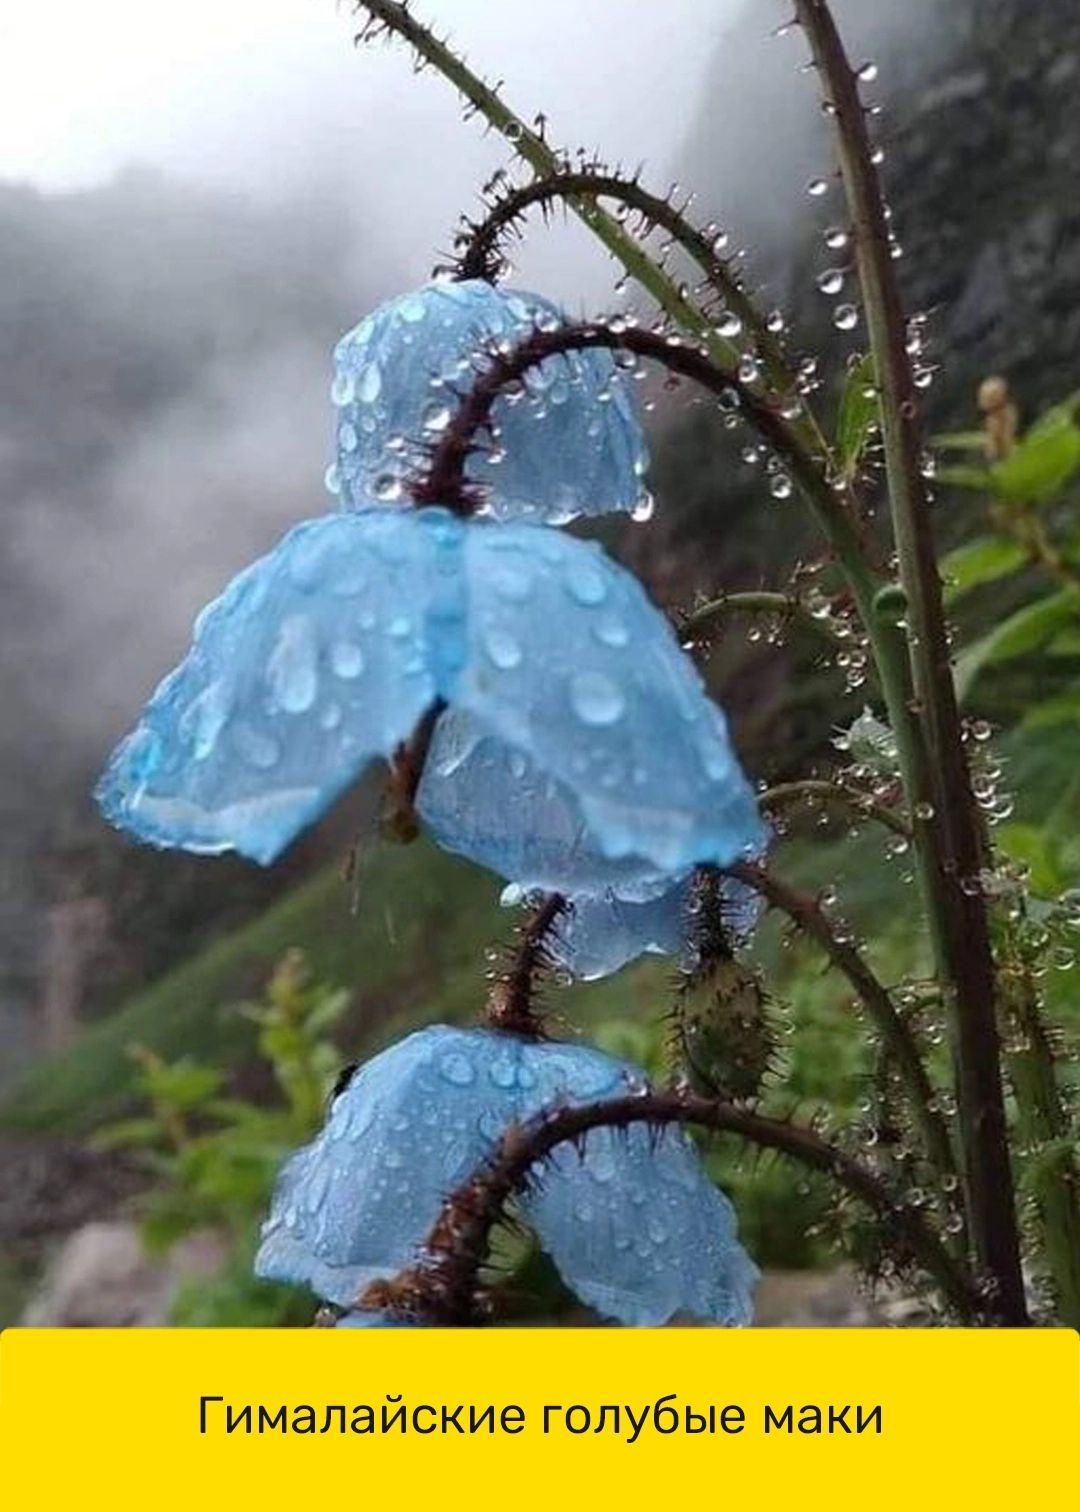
x,y
569,442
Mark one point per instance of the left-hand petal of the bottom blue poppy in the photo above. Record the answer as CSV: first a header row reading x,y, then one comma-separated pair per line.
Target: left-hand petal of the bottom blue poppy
x,y
412,1124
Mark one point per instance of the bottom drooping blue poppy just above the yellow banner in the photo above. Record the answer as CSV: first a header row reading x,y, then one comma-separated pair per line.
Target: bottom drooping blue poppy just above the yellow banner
x,y
633,1222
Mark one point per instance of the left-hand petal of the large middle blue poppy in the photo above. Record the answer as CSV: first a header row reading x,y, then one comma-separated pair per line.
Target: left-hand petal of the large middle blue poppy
x,y
312,663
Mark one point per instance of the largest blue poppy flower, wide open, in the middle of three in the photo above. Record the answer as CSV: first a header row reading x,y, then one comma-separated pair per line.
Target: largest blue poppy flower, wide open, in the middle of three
x,y
326,654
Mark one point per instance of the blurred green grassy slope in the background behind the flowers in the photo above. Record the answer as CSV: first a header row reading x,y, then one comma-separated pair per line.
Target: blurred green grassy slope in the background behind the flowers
x,y
414,953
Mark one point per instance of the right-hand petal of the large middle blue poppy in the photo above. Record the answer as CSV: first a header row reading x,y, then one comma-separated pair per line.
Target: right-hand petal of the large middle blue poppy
x,y
571,666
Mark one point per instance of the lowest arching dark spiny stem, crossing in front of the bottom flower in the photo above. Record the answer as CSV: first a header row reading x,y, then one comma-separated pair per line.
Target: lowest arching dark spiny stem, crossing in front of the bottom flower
x,y
444,1286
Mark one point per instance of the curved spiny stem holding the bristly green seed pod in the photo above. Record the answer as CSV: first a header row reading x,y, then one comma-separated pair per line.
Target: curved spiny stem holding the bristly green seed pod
x,y
808,916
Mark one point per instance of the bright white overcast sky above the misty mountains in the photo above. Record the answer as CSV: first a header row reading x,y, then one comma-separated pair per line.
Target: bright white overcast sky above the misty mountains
x,y
272,94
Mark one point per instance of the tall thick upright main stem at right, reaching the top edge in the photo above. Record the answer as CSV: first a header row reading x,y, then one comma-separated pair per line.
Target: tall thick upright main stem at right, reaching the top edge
x,y
957,850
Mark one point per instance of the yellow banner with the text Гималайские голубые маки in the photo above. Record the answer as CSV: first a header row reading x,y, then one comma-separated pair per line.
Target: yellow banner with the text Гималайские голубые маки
x,y
532,1419
